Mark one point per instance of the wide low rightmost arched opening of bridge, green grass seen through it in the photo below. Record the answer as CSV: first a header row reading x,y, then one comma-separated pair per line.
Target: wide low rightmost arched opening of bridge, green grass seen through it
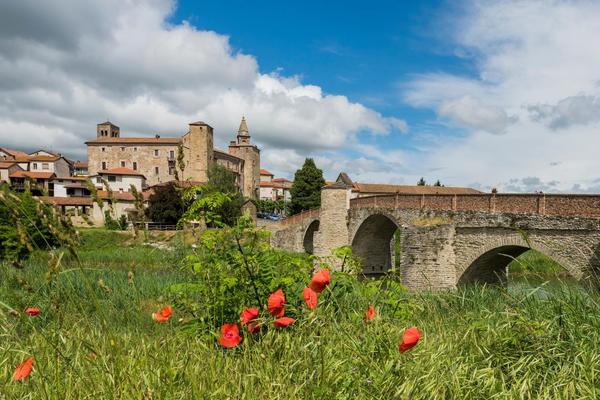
x,y
514,265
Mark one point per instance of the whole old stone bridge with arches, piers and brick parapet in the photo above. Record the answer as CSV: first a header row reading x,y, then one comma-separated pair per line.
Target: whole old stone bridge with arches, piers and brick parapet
x,y
449,240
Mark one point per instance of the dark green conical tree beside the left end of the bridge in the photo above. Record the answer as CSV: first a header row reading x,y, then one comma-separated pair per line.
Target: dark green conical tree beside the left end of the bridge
x,y
306,191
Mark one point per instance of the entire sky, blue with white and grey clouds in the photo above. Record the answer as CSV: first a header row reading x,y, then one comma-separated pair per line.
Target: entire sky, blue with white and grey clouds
x,y
483,93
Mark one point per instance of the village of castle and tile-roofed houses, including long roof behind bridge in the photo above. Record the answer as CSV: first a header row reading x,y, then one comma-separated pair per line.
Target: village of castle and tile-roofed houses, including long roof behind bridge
x,y
122,163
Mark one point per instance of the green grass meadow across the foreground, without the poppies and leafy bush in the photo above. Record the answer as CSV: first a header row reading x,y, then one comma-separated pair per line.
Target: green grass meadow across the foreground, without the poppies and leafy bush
x,y
95,339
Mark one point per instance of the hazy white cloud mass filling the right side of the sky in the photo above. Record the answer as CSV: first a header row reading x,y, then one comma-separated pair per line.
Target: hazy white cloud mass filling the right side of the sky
x,y
536,68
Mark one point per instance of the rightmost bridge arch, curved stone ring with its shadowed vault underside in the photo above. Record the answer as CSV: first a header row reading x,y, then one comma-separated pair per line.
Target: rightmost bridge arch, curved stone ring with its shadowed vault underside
x,y
488,263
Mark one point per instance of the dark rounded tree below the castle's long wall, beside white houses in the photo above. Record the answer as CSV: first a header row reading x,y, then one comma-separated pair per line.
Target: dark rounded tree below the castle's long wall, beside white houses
x,y
165,204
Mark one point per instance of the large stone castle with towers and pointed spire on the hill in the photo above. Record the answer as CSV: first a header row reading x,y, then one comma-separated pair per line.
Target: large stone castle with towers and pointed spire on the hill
x,y
157,158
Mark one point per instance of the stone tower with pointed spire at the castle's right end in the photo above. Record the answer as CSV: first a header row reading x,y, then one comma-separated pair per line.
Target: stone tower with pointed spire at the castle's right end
x,y
243,149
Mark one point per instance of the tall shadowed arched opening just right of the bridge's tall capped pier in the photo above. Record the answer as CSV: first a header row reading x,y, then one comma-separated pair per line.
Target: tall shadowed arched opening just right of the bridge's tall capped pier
x,y
377,244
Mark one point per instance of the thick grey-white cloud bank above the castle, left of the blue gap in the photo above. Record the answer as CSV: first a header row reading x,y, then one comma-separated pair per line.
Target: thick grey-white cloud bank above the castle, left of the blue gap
x,y
68,65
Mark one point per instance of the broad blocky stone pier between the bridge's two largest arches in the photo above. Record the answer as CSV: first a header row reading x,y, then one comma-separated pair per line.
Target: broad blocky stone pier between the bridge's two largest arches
x,y
428,258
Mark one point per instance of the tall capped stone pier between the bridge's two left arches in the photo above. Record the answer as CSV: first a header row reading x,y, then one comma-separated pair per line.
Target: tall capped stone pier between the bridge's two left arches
x,y
333,221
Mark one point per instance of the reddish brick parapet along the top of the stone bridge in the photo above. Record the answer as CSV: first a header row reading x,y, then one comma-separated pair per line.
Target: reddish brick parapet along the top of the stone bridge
x,y
568,205
